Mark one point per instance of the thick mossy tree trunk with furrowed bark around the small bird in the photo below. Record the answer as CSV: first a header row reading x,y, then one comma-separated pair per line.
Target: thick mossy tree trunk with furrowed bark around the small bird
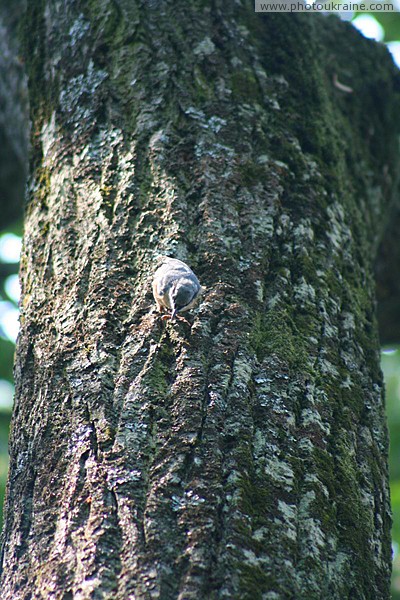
x,y
244,456
